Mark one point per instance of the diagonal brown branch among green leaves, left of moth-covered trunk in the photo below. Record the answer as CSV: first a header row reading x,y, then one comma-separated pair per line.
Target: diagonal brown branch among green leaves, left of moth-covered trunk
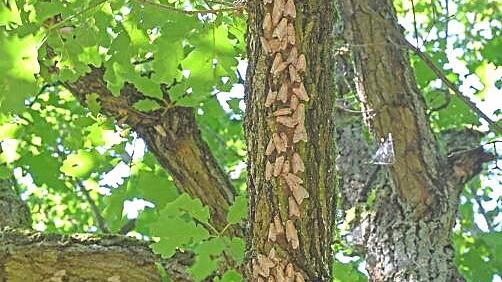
x,y
173,136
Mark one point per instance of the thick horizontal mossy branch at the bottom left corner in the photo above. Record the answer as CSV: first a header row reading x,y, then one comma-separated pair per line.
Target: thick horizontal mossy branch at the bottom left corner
x,y
34,256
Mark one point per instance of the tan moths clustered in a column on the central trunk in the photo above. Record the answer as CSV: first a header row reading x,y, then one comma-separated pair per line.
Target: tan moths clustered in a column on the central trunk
x,y
286,100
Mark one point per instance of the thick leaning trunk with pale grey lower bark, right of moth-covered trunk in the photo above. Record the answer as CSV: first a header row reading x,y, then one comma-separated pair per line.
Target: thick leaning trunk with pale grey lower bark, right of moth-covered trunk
x,y
406,235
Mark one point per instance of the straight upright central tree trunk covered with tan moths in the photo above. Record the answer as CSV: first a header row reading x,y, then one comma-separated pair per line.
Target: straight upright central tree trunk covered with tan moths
x,y
290,139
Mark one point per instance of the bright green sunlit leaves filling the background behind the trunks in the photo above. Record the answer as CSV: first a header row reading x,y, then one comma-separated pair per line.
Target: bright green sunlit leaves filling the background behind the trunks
x,y
81,172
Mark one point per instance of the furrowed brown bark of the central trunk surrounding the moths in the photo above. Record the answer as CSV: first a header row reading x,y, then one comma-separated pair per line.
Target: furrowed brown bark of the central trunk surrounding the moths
x,y
270,198
